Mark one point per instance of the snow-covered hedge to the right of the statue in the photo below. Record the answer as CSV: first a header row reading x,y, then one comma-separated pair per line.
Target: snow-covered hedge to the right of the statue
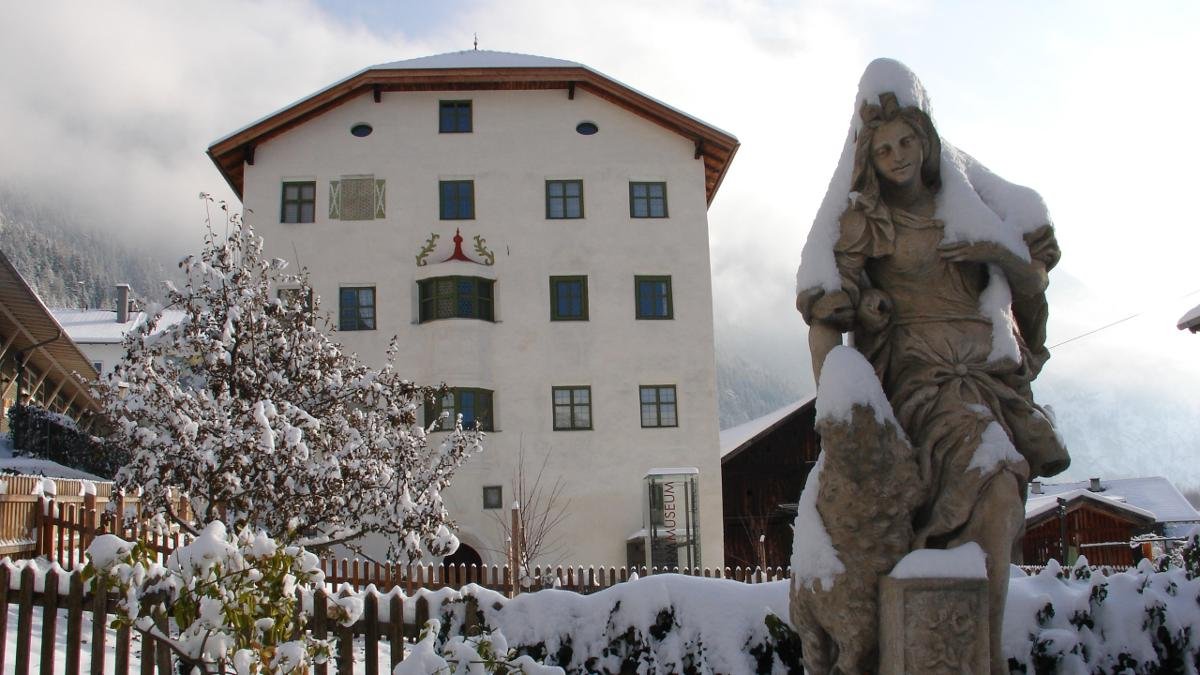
x,y
1076,622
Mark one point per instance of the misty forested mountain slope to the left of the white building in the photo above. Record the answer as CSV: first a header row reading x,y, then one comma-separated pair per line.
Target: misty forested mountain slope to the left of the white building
x,y
68,264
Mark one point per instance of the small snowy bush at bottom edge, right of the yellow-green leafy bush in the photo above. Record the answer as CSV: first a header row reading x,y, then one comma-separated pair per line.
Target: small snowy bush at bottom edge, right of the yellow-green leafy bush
x,y
487,653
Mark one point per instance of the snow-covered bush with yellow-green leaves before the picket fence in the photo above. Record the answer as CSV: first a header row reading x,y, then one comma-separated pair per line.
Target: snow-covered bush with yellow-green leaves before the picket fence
x,y
220,600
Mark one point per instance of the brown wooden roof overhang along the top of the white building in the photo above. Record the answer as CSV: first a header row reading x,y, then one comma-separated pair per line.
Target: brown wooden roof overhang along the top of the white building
x,y
716,147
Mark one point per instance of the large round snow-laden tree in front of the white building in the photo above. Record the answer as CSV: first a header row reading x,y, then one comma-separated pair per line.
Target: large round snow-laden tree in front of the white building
x,y
256,416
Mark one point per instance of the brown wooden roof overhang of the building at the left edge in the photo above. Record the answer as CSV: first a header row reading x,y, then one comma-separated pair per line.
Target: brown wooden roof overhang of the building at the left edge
x,y
29,328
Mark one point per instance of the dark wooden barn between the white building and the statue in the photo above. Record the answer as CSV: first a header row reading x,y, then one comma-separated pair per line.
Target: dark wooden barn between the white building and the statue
x,y
765,464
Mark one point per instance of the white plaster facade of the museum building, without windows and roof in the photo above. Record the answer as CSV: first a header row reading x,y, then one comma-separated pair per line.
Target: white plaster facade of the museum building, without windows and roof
x,y
521,140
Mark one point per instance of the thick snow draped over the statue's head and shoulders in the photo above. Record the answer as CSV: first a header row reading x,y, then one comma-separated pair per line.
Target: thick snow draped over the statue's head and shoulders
x,y
974,204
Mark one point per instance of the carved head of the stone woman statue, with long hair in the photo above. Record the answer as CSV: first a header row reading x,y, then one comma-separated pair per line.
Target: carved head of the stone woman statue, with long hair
x,y
896,145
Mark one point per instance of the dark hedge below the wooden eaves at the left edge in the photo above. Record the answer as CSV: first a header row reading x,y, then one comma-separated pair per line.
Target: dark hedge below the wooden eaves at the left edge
x,y
49,435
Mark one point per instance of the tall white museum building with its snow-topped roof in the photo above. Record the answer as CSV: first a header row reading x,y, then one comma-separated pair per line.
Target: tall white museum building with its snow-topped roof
x,y
537,236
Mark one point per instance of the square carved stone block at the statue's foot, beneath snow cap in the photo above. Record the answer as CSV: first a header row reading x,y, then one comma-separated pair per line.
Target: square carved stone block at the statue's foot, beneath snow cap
x,y
933,626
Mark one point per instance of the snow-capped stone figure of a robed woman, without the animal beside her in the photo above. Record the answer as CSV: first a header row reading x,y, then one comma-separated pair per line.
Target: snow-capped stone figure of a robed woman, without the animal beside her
x,y
938,268
